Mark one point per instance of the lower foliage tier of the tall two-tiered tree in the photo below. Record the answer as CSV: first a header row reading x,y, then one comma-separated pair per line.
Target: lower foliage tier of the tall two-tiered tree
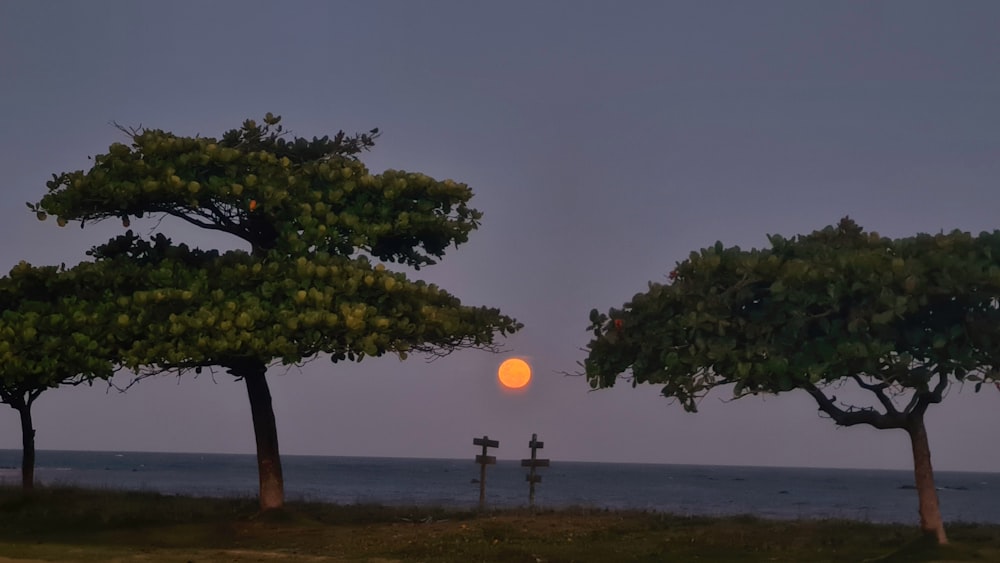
x,y
205,308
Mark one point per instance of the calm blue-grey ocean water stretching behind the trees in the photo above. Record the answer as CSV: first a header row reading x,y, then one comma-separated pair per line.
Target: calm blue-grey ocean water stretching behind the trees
x,y
869,495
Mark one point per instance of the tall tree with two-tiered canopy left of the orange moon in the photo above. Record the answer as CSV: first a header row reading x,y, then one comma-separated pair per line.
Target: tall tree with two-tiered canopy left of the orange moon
x,y
315,220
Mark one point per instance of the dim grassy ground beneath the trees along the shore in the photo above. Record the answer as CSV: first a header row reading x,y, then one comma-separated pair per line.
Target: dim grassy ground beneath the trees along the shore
x,y
69,524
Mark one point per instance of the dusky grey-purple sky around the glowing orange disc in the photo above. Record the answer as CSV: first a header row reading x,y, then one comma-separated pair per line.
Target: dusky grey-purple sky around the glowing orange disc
x,y
604,141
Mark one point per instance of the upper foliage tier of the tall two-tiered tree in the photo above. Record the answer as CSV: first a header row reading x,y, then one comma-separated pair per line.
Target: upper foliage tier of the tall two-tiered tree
x,y
292,195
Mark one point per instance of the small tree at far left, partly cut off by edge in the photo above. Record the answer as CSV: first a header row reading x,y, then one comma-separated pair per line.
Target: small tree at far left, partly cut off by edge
x,y
51,334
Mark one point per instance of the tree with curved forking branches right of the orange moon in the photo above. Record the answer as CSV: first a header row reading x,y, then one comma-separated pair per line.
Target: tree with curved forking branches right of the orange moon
x,y
901,319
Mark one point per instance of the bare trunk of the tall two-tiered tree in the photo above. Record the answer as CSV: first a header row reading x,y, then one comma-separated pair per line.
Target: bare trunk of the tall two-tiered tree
x,y
272,484
